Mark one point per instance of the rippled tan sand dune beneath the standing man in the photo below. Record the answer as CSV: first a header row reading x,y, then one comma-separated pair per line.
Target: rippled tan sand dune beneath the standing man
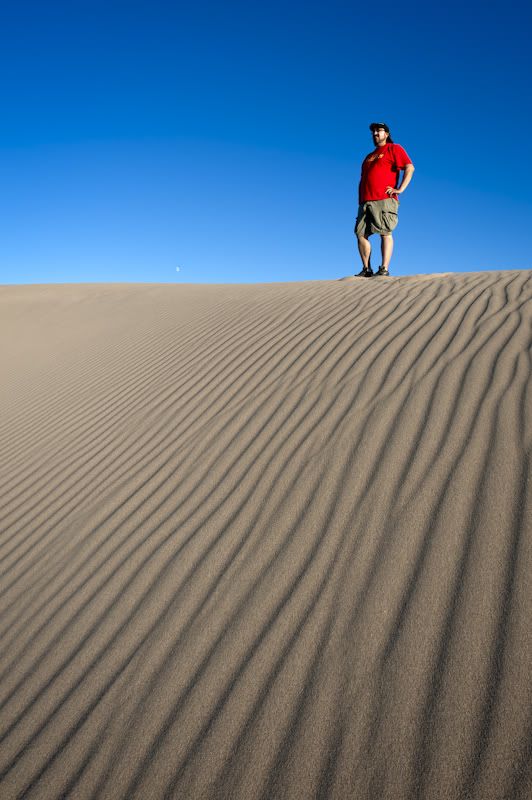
x,y
267,541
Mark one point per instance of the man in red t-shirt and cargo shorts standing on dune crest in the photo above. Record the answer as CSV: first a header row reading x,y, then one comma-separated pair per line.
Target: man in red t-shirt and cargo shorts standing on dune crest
x,y
377,197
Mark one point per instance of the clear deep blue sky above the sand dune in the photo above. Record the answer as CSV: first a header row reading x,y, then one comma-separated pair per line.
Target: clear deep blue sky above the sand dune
x,y
225,138
